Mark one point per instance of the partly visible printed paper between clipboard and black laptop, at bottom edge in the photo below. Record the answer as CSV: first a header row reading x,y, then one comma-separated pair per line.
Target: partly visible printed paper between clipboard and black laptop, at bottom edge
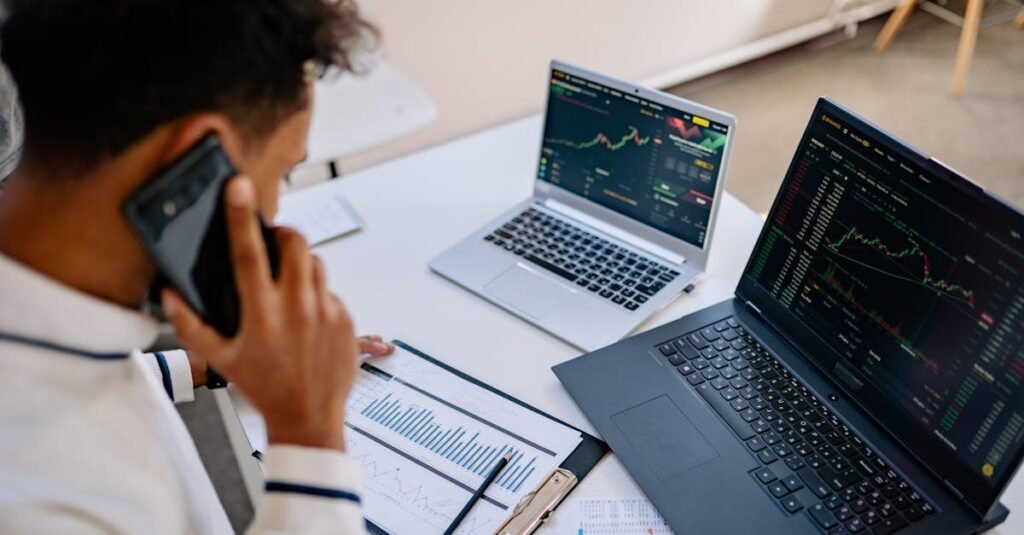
x,y
633,516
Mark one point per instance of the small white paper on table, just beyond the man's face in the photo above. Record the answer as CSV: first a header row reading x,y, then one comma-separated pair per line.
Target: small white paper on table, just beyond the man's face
x,y
318,218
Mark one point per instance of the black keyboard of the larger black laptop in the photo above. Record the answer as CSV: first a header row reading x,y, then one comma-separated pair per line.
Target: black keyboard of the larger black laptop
x,y
800,442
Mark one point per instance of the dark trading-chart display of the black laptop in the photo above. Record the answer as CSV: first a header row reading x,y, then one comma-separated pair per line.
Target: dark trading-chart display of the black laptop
x,y
915,277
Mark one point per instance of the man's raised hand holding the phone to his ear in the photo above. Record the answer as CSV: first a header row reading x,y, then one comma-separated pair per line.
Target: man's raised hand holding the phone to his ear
x,y
295,355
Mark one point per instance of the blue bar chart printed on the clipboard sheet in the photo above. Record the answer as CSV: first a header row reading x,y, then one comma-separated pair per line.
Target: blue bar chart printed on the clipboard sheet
x,y
460,445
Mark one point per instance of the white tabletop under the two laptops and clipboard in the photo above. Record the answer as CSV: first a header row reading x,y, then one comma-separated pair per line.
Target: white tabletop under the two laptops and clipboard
x,y
417,207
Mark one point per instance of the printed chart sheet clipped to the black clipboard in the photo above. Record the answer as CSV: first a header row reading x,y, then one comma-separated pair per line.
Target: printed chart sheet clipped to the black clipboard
x,y
428,438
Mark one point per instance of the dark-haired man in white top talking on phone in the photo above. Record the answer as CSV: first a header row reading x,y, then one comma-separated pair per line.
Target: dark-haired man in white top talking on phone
x,y
111,93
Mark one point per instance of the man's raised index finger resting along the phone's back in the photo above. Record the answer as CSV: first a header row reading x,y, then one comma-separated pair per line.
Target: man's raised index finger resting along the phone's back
x,y
252,269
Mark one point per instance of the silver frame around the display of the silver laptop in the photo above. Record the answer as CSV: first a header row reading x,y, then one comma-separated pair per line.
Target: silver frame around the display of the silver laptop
x,y
544,191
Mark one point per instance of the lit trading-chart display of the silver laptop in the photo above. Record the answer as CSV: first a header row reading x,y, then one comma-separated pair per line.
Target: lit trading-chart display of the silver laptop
x,y
655,164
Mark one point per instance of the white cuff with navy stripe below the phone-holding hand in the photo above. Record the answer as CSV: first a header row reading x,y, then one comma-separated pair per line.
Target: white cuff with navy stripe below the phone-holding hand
x,y
310,490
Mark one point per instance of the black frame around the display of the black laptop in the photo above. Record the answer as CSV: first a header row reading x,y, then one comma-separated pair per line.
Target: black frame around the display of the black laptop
x,y
977,493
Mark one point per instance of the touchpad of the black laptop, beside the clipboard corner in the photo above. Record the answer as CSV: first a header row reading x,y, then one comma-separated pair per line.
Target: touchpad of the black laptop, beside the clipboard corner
x,y
664,436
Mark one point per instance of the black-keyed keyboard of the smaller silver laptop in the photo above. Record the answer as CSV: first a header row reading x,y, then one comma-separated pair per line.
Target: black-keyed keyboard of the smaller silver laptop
x,y
616,274
